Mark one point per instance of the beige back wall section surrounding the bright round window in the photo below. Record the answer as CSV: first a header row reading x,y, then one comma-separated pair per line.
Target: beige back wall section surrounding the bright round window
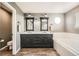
x,y
57,27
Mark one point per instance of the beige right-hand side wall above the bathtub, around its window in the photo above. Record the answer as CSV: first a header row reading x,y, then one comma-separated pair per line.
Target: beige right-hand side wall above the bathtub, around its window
x,y
70,20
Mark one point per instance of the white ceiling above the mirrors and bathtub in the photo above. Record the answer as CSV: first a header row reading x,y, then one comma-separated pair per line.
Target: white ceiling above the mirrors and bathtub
x,y
46,7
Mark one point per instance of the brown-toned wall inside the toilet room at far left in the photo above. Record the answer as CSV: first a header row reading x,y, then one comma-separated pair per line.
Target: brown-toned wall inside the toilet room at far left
x,y
5,26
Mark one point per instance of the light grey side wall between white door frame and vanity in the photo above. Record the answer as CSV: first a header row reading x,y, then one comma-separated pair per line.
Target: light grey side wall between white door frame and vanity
x,y
20,18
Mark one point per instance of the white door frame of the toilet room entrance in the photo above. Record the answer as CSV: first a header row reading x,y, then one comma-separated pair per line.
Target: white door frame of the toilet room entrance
x,y
14,50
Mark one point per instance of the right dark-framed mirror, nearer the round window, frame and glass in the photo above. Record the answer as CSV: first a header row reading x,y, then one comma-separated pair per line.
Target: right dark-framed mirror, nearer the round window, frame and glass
x,y
43,23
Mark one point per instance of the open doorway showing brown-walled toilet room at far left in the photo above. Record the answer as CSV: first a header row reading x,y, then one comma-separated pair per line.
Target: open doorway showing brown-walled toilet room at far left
x,y
5,29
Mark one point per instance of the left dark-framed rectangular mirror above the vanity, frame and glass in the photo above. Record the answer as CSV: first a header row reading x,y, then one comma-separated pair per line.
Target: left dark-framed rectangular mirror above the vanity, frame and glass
x,y
29,23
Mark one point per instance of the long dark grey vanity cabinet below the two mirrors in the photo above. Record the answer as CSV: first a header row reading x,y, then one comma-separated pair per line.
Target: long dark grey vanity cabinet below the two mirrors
x,y
36,40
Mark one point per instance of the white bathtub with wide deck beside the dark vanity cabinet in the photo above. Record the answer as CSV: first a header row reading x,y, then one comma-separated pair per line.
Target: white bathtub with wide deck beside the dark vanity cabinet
x,y
66,44
